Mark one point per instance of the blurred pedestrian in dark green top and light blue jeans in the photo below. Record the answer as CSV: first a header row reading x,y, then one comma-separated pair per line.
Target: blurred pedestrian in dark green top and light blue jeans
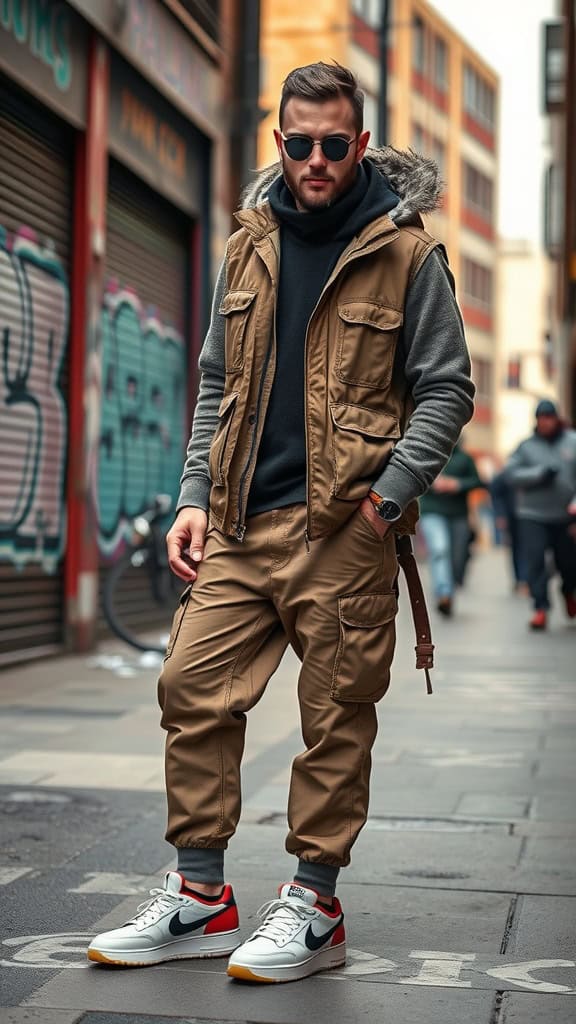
x,y
446,527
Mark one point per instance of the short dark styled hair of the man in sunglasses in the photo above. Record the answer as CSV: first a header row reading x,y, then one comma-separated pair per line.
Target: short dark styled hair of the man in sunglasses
x,y
320,82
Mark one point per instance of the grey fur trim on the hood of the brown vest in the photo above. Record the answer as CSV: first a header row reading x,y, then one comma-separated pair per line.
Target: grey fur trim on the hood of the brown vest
x,y
416,179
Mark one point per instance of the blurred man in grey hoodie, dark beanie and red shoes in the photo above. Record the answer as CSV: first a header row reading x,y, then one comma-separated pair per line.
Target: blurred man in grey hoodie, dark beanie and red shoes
x,y
544,473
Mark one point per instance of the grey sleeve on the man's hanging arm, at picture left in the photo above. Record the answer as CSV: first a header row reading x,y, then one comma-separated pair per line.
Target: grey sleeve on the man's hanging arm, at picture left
x,y
195,483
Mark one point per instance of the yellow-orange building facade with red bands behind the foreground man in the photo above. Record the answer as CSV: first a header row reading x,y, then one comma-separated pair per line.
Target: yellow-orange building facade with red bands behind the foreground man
x,y
442,101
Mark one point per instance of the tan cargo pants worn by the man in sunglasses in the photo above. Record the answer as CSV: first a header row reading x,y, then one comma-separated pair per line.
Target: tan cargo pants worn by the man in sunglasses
x,y
336,605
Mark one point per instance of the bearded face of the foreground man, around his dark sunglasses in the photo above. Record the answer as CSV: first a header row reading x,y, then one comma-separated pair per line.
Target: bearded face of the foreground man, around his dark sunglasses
x,y
316,183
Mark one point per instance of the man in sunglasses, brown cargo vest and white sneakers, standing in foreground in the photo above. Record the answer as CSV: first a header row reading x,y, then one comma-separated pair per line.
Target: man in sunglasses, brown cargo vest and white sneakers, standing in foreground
x,y
330,317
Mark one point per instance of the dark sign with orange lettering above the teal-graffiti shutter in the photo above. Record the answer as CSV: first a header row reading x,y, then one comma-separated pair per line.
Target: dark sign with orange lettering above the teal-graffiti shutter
x,y
152,139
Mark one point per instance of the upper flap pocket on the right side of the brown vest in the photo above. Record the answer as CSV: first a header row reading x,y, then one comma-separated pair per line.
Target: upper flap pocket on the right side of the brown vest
x,y
366,345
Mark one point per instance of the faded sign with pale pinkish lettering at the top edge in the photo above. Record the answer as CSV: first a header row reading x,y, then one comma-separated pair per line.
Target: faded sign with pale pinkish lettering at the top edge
x,y
153,40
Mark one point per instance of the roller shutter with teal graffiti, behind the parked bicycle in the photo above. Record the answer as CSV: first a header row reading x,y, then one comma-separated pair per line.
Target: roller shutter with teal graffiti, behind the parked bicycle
x,y
144,428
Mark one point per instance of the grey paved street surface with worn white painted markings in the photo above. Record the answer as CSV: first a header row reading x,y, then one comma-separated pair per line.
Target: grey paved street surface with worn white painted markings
x,y
462,900
